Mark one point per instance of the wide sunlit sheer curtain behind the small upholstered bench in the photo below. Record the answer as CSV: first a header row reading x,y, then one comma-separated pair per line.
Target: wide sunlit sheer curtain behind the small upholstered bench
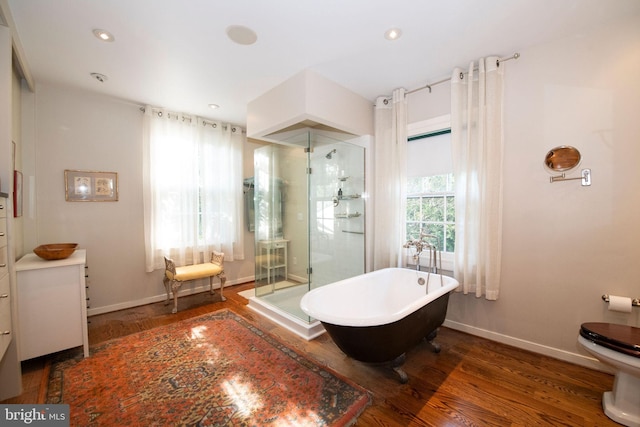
x,y
192,189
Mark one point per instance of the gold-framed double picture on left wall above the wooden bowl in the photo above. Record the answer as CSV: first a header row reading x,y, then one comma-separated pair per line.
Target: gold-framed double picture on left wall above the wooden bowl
x,y
90,186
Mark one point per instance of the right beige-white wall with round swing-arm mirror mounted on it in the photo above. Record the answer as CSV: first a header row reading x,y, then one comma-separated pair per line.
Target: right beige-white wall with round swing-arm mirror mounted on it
x,y
564,245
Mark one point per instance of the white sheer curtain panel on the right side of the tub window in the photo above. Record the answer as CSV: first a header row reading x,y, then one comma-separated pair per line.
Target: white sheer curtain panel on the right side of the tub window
x,y
477,145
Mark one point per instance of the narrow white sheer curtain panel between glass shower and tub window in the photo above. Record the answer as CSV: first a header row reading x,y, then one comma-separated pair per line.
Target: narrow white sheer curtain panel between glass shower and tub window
x,y
389,197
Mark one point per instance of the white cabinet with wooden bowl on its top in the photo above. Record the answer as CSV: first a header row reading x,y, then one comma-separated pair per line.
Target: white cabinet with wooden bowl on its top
x,y
52,310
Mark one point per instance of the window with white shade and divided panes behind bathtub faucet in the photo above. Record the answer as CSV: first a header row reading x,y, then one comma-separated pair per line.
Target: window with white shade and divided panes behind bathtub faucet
x,y
431,186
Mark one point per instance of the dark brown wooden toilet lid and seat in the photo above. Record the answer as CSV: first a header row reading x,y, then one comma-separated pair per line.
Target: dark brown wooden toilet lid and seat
x,y
622,338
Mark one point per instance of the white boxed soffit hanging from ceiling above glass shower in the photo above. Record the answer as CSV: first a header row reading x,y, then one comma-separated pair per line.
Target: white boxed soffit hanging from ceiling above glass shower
x,y
308,100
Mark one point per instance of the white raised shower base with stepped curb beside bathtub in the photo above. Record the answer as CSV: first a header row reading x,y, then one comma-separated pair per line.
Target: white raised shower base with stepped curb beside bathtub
x,y
290,298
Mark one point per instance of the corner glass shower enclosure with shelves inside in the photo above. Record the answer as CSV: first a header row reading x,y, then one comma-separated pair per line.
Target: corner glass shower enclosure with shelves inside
x,y
309,216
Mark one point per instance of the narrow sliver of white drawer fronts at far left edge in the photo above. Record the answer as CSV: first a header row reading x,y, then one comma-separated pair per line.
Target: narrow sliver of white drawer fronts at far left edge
x,y
6,330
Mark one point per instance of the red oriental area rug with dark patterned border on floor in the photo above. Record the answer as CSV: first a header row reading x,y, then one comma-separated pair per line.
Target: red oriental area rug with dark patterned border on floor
x,y
212,370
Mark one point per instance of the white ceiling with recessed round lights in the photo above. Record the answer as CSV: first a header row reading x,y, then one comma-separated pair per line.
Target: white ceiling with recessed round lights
x,y
176,54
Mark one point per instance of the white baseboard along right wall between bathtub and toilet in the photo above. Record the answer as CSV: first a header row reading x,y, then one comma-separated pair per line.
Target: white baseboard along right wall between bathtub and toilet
x,y
578,359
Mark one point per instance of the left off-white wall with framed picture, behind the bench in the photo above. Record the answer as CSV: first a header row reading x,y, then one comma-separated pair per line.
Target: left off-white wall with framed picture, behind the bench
x,y
70,129
